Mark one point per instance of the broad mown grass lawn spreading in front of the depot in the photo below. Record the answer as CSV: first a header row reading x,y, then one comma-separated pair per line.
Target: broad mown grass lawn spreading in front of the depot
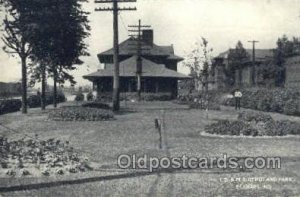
x,y
133,131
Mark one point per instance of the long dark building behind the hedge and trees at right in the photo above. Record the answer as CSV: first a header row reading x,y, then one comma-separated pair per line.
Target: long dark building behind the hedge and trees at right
x,y
264,61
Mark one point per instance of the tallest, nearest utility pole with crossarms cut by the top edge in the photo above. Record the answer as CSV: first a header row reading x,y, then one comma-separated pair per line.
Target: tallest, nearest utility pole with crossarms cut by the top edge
x,y
116,78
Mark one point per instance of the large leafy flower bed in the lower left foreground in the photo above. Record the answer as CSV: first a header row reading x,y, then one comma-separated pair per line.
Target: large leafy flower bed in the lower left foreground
x,y
34,157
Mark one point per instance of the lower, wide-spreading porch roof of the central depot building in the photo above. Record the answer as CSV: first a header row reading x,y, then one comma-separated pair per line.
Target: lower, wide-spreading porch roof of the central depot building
x,y
128,69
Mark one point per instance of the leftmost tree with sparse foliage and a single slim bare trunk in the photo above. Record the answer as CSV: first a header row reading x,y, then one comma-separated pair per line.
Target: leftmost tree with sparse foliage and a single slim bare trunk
x,y
17,27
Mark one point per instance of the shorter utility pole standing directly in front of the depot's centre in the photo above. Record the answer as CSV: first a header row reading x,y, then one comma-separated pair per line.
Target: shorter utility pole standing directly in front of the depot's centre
x,y
138,29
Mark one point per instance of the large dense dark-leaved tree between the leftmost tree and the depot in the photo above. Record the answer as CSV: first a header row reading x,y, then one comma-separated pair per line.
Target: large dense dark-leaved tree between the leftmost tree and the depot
x,y
58,40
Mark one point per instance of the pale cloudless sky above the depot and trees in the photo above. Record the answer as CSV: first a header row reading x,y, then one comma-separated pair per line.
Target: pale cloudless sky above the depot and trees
x,y
182,23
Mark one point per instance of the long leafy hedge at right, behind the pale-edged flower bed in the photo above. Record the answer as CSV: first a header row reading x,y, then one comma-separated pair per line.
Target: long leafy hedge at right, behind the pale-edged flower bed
x,y
286,101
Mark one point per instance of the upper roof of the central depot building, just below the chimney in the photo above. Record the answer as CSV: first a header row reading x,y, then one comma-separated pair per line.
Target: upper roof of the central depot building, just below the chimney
x,y
128,48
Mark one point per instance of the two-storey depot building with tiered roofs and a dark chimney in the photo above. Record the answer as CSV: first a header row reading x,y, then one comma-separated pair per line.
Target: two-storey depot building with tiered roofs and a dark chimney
x,y
159,68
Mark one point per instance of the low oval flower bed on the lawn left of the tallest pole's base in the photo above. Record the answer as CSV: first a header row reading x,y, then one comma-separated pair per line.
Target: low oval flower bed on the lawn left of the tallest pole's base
x,y
79,113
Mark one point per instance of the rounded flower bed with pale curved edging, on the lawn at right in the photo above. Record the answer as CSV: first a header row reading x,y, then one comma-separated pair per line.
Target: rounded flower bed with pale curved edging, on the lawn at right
x,y
254,124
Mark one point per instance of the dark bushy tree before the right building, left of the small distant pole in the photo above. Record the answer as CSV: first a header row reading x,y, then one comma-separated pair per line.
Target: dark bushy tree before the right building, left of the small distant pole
x,y
236,58
